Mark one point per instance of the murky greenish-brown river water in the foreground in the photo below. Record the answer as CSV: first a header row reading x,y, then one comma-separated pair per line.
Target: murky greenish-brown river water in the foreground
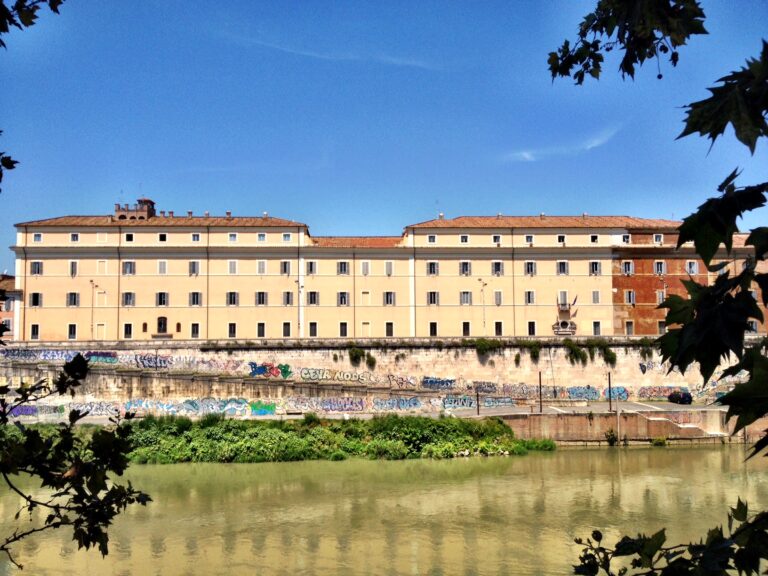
x,y
515,515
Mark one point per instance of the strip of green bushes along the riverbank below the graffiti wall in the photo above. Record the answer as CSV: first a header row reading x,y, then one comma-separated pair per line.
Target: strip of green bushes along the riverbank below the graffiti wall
x,y
167,440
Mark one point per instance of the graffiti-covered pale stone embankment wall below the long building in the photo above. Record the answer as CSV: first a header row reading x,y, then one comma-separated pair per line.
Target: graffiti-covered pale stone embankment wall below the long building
x,y
187,378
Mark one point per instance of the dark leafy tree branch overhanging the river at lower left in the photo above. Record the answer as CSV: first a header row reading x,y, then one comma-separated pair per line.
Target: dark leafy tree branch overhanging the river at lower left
x,y
73,464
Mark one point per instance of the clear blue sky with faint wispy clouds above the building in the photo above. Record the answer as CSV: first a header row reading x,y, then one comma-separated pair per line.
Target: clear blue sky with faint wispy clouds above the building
x,y
353,117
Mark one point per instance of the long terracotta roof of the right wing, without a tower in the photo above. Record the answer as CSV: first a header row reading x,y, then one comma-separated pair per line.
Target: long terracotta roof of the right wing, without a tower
x,y
547,222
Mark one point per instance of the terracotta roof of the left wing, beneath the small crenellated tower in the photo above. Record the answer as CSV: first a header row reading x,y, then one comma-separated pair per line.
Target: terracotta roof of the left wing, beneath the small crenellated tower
x,y
166,221
